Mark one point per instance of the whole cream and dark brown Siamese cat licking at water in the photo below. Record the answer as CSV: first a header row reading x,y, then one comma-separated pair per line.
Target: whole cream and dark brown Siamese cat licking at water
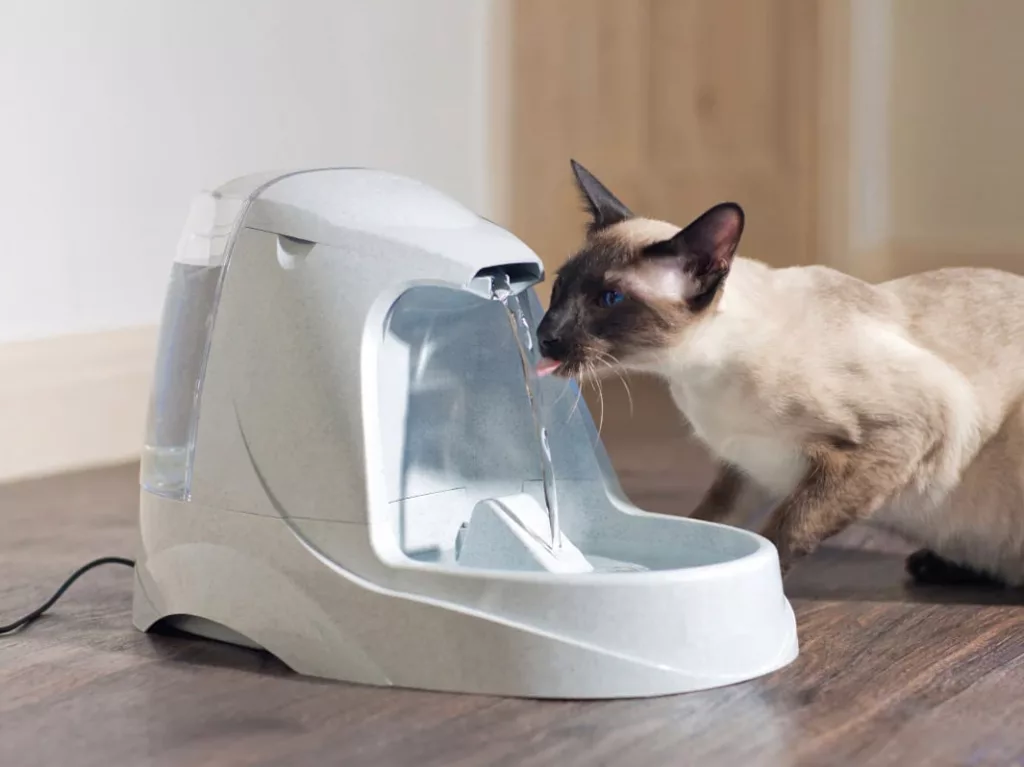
x,y
900,405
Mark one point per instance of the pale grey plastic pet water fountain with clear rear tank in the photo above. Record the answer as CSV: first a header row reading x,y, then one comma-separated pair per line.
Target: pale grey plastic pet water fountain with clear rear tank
x,y
351,463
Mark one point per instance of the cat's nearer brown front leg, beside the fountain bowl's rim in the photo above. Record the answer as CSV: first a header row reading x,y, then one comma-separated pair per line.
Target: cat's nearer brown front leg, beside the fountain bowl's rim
x,y
841,488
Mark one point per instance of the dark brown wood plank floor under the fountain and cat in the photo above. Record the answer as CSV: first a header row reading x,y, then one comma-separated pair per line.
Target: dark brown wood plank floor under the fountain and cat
x,y
887,675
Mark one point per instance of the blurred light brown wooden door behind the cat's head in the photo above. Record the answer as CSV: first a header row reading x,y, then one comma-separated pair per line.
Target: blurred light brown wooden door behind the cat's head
x,y
675,105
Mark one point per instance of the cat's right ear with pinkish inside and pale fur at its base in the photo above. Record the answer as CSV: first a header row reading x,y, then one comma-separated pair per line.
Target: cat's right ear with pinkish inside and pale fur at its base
x,y
692,266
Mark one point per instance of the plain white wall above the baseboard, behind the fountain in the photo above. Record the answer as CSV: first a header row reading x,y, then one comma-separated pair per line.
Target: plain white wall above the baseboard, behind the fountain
x,y
113,113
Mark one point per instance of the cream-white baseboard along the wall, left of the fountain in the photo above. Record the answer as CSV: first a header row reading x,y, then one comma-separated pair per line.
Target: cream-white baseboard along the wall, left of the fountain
x,y
74,402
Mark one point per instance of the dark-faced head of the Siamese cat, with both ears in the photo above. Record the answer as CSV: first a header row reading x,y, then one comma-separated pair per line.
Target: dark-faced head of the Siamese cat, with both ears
x,y
635,286
